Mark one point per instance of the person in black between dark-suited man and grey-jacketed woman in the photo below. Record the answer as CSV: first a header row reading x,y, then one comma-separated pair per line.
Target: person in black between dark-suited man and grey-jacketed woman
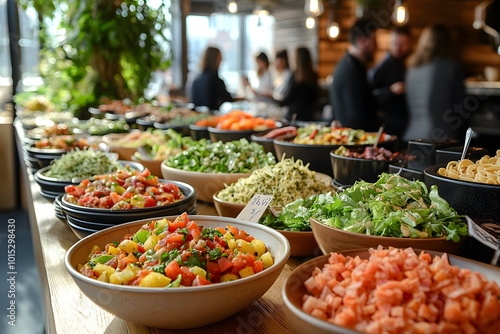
x,y
386,80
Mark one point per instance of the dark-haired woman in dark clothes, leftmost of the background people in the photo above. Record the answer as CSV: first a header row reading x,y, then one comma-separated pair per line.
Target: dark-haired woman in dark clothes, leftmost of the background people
x,y
208,89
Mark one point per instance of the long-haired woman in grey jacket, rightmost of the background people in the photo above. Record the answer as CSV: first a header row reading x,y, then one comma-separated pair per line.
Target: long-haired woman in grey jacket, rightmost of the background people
x,y
434,88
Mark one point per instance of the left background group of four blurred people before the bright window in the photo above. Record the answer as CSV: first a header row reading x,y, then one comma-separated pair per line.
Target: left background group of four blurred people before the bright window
x,y
296,89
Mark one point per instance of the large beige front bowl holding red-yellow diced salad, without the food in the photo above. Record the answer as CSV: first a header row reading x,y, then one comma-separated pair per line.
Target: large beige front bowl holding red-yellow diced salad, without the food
x,y
183,307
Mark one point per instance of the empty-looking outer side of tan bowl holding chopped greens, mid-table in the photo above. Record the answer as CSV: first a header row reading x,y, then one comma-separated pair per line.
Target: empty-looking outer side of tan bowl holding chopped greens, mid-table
x,y
205,184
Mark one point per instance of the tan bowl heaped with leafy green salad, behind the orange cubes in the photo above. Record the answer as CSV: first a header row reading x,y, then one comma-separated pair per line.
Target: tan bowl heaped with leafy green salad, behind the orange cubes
x,y
393,211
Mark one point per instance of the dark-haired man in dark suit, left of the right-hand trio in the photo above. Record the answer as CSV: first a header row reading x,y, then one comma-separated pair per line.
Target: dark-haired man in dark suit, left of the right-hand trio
x,y
350,95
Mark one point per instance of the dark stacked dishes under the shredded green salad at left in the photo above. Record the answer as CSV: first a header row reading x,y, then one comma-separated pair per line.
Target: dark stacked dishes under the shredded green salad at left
x,y
51,187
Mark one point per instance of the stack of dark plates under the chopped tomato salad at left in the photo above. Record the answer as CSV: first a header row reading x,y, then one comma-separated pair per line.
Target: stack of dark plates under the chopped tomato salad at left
x,y
84,220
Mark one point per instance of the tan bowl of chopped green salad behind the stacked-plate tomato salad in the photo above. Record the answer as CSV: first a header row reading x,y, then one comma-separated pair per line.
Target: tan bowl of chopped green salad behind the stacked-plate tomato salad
x,y
209,166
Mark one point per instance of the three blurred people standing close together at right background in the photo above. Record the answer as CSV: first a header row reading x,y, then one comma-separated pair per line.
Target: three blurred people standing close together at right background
x,y
413,94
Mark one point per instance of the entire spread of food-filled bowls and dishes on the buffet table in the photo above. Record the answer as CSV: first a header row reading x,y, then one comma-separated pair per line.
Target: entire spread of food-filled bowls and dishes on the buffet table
x,y
387,240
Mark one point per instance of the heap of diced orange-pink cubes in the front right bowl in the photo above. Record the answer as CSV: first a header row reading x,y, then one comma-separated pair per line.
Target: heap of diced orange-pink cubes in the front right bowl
x,y
399,291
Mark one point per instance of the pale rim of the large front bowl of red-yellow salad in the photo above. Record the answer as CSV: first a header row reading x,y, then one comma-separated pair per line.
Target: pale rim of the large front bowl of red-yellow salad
x,y
126,288
